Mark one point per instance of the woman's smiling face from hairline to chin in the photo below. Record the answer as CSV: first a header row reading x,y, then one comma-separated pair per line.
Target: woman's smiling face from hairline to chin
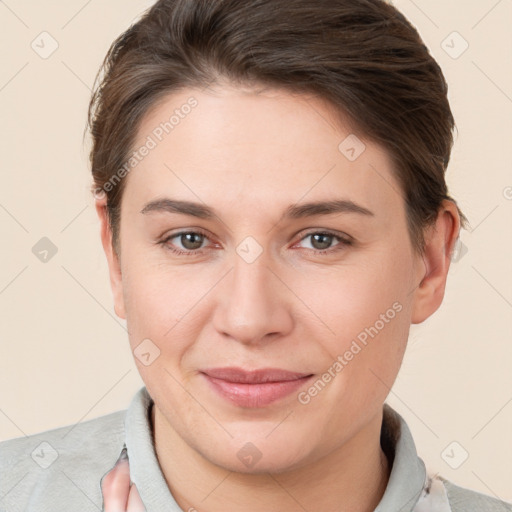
x,y
248,277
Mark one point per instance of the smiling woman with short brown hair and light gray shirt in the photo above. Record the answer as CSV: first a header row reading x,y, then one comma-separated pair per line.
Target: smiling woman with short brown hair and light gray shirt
x,y
269,178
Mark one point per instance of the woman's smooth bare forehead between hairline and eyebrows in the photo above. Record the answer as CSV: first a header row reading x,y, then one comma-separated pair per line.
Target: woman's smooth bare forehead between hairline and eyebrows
x,y
272,146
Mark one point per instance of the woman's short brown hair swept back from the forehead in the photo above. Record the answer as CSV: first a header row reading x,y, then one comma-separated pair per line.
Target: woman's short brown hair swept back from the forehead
x,y
363,56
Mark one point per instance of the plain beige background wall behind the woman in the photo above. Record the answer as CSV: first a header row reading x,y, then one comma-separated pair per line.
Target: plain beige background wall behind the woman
x,y
65,356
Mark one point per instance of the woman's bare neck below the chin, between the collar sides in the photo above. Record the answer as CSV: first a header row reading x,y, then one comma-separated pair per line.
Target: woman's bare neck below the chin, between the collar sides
x,y
352,478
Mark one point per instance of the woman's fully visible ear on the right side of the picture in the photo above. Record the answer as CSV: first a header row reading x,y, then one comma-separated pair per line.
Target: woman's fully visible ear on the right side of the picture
x,y
439,243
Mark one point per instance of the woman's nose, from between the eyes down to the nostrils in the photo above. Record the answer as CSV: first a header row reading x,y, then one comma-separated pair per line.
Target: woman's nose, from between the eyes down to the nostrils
x,y
254,304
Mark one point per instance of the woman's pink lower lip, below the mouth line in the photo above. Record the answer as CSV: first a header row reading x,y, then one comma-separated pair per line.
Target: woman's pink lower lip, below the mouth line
x,y
255,395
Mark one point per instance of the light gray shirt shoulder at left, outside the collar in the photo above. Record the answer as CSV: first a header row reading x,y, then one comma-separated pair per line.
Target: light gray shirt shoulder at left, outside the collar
x,y
62,465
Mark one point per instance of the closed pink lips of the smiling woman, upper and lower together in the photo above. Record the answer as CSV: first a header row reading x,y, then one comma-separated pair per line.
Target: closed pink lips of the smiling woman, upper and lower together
x,y
254,388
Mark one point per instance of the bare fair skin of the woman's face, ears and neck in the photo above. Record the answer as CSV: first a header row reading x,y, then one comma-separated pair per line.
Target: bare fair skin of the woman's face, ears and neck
x,y
249,155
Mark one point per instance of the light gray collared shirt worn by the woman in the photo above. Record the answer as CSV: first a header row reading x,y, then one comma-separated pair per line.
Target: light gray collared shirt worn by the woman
x,y
60,470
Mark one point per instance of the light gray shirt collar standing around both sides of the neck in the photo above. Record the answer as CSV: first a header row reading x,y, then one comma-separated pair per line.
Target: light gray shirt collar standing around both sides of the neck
x,y
407,479
